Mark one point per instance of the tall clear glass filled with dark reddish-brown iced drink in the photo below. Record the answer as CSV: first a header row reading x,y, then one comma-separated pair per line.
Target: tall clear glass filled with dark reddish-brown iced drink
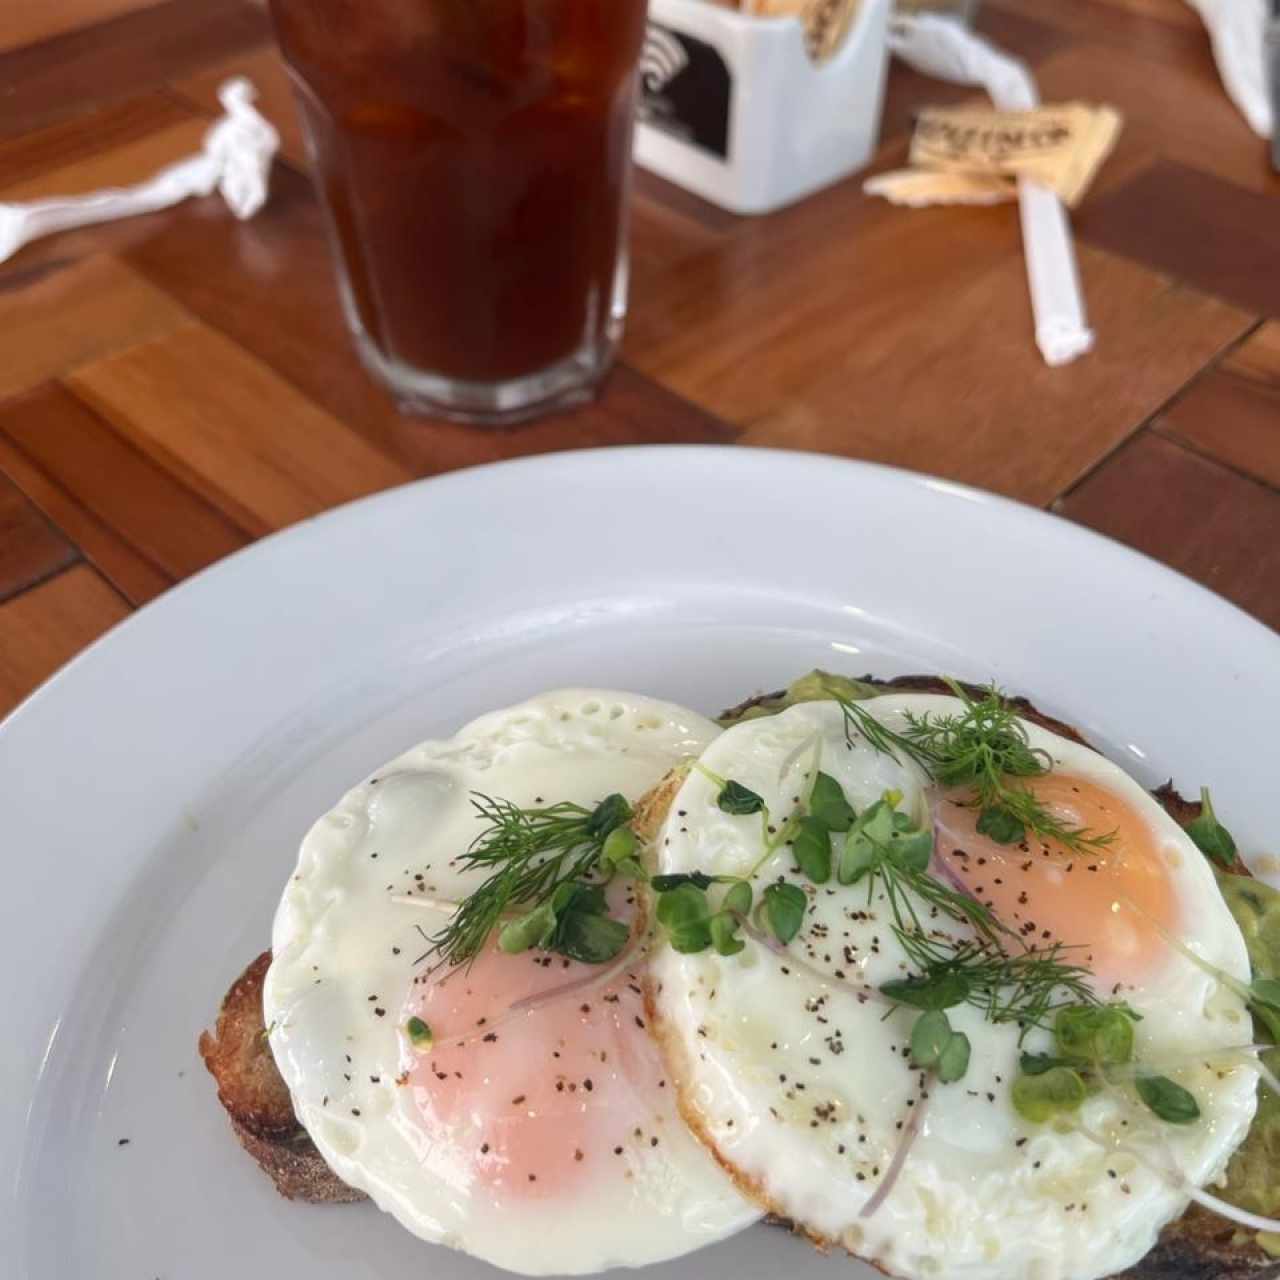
x,y
473,158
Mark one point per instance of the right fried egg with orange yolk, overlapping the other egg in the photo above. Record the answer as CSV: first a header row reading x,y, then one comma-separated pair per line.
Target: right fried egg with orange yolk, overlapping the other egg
x,y
797,1071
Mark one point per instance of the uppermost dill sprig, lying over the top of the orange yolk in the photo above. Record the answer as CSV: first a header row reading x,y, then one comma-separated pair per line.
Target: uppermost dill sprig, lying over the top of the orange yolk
x,y
981,748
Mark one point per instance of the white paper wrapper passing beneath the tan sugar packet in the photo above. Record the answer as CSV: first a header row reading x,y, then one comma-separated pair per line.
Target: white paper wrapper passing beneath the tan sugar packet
x,y
945,49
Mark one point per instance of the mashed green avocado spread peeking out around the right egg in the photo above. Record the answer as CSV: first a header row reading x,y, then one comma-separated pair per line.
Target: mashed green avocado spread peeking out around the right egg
x,y
1254,1176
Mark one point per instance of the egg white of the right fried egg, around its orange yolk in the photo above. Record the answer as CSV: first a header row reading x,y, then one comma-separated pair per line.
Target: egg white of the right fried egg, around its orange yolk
x,y
804,1089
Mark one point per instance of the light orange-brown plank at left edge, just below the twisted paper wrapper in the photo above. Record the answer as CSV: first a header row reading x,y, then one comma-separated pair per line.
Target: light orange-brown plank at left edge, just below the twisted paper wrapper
x,y
56,319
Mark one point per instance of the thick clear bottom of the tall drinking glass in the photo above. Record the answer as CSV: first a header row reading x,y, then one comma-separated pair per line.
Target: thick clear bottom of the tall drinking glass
x,y
566,385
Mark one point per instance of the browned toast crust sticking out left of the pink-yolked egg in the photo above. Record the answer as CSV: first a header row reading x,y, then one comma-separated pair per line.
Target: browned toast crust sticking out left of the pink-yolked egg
x,y
258,1100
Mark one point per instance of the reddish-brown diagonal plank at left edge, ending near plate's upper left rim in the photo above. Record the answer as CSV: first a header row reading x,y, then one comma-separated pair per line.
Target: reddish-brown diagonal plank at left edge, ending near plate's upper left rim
x,y
125,508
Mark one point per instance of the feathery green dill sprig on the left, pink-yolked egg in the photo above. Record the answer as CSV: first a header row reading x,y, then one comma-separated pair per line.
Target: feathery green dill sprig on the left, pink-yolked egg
x,y
531,853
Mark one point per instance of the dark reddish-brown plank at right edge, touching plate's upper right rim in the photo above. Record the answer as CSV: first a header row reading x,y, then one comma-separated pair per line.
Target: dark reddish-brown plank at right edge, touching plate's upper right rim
x,y
1191,513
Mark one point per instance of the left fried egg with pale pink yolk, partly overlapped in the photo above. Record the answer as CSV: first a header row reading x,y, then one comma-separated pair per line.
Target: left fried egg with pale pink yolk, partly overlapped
x,y
538,1131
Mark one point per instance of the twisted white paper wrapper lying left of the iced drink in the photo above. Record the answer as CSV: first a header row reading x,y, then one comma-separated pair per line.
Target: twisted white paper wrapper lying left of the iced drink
x,y
236,159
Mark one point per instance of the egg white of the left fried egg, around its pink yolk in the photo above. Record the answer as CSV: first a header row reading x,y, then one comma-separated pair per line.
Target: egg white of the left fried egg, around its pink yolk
x,y
340,939
